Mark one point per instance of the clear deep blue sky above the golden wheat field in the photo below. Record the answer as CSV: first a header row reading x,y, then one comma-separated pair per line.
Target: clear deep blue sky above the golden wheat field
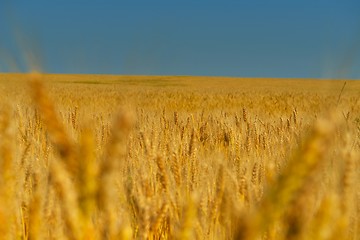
x,y
254,38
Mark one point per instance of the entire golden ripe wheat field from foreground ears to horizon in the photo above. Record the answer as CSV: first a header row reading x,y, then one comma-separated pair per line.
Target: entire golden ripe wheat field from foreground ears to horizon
x,y
125,157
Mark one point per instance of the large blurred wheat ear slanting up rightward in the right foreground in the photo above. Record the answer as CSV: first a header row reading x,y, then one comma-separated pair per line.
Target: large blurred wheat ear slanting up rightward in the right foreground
x,y
287,188
